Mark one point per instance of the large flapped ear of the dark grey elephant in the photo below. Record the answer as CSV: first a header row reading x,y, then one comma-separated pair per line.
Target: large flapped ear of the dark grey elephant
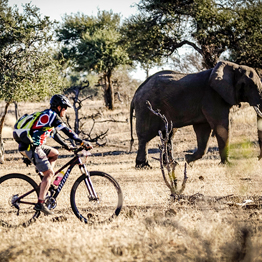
x,y
222,81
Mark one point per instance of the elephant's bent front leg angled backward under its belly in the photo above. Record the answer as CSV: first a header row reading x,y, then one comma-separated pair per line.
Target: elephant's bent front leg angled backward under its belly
x,y
203,132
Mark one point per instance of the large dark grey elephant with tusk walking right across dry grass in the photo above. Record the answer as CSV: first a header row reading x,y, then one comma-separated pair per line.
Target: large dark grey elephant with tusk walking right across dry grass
x,y
200,99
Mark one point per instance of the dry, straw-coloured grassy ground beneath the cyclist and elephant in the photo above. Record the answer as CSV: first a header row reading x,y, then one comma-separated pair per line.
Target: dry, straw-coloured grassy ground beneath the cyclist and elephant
x,y
209,223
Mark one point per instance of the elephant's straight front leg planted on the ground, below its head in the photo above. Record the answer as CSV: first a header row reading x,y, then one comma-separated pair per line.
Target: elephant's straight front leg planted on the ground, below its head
x,y
221,132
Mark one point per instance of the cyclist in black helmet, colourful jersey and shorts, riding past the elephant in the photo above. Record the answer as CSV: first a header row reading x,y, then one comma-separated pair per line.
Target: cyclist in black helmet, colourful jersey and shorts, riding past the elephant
x,y
44,157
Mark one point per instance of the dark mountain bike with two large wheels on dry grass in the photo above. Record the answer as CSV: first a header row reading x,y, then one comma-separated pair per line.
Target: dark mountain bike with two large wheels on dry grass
x,y
95,197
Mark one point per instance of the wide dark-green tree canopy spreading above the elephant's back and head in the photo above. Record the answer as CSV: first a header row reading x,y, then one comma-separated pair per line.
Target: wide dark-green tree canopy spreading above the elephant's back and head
x,y
209,26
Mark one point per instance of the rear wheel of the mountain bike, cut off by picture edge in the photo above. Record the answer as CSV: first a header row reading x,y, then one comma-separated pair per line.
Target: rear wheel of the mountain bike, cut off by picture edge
x,y
12,186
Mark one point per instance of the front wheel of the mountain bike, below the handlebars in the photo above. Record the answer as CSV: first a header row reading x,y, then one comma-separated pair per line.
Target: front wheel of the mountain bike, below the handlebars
x,y
109,194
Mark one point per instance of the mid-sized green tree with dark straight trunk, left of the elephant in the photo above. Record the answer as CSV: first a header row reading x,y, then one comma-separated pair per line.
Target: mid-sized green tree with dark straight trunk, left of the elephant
x,y
91,44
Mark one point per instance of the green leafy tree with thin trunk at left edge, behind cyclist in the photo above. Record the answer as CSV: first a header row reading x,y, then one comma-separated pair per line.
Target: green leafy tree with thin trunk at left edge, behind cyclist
x,y
28,71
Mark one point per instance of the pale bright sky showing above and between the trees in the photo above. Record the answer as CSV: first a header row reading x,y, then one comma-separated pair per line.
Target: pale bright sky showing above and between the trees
x,y
56,9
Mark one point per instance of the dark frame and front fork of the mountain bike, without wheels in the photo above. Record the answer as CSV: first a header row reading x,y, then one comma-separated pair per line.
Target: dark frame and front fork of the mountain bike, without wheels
x,y
75,161
